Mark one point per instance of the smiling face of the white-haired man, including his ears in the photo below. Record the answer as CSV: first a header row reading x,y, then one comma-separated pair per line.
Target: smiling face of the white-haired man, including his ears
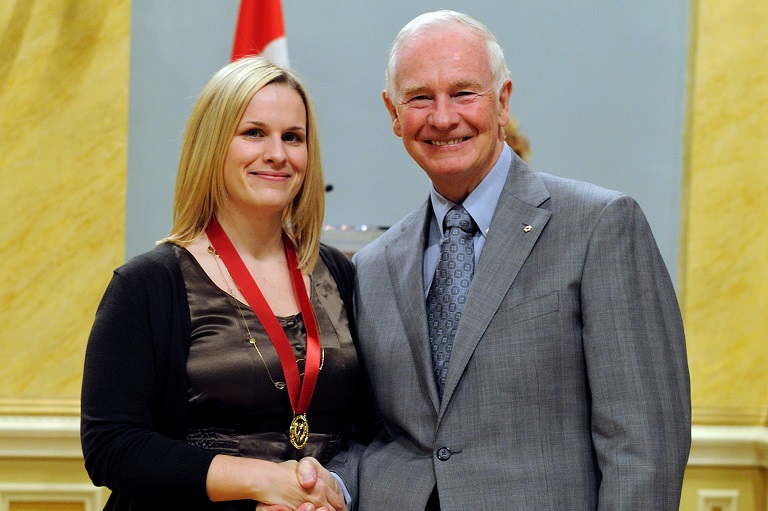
x,y
446,108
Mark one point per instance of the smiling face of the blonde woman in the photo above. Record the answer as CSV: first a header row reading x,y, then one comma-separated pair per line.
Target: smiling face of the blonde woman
x,y
267,159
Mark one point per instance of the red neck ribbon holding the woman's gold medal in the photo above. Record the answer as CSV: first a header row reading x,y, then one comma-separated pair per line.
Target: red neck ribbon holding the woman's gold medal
x,y
299,393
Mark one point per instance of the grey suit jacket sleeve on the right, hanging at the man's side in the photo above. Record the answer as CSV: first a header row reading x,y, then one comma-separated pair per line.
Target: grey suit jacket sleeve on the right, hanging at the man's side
x,y
636,364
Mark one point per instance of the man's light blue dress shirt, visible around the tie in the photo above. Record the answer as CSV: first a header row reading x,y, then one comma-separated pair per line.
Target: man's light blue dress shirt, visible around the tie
x,y
480,204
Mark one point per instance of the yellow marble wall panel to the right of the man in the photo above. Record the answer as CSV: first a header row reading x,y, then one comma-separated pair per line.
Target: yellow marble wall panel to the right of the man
x,y
724,264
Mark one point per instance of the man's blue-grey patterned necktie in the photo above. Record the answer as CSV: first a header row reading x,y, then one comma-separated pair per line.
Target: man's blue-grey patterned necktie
x,y
448,292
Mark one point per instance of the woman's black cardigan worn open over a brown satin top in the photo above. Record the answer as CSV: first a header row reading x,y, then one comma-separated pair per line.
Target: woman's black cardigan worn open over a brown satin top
x,y
134,392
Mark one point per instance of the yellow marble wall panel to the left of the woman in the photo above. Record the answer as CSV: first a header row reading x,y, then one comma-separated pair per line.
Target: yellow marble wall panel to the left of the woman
x,y
63,131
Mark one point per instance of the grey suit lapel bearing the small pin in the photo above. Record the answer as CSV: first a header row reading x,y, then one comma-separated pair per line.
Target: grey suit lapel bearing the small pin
x,y
508,243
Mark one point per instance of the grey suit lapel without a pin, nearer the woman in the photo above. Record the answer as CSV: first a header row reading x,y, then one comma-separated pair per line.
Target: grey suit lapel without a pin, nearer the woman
x,y
405,262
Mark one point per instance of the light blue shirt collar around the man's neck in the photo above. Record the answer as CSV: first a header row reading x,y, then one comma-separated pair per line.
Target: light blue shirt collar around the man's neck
x,y
481,203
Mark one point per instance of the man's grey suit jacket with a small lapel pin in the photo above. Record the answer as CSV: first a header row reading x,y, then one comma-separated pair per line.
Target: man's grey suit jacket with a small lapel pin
x,y
568,385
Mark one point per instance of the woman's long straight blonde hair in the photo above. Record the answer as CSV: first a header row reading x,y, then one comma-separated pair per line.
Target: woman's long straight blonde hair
x,y
200,190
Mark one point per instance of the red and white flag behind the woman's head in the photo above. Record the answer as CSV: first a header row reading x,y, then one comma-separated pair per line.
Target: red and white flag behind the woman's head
x,y
260,31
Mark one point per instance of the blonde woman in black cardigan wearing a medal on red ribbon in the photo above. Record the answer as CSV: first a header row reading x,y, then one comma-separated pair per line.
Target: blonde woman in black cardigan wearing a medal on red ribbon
x,y
223,357
